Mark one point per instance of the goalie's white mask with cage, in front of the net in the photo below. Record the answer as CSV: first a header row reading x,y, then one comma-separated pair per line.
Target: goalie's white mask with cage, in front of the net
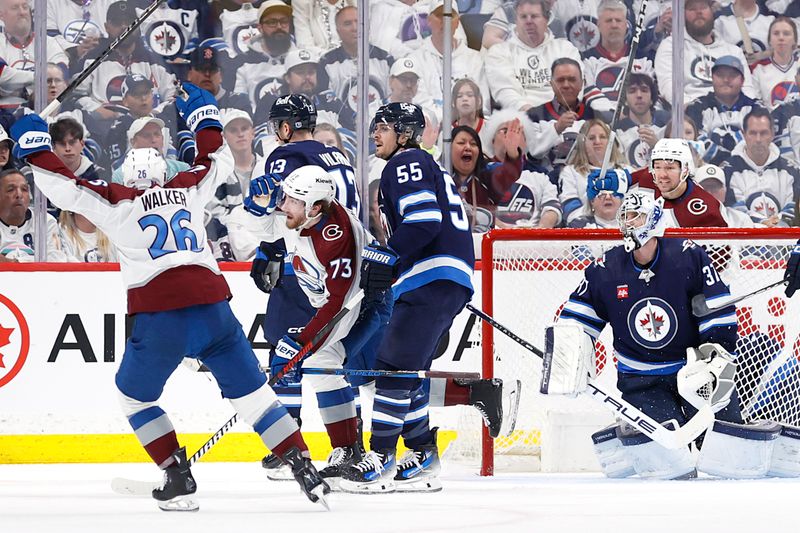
x,y
647,223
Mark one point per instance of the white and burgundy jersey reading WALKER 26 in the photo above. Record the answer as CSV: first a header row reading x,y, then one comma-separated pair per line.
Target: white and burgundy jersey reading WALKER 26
x,y
159,232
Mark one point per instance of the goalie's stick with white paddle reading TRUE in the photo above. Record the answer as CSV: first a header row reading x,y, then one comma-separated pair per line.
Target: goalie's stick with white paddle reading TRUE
x,y
612,399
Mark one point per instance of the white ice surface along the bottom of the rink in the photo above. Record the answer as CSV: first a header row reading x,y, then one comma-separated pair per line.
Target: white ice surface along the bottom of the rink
x,y
237,497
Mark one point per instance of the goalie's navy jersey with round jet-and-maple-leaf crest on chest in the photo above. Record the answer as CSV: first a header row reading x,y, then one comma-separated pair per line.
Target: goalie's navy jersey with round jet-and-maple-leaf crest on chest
x,y
652,320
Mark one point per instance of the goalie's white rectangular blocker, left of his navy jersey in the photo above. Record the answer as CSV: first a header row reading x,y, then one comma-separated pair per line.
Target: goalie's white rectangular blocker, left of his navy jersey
x,y
568,360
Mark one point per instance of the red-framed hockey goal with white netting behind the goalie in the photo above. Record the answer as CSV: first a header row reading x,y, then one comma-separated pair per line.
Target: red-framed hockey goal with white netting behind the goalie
x,y
527,276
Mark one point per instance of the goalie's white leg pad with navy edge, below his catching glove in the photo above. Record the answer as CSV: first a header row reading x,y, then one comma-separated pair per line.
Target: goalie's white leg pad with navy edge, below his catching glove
x,y
738,451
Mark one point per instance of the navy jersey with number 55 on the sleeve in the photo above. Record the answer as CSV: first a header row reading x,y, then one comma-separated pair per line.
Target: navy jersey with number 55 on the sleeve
x,y
425,222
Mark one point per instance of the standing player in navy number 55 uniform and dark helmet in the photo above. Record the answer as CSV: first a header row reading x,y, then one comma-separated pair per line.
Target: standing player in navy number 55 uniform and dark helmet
x,y
429,251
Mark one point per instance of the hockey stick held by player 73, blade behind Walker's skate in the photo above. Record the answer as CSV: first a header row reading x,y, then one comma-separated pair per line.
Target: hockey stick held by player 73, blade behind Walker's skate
x,y
130,486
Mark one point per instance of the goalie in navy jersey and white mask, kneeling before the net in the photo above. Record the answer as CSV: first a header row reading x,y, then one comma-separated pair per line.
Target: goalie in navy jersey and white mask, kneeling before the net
x,y
670,362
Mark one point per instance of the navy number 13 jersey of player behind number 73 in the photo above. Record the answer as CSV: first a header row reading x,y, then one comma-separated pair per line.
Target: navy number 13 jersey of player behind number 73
x,y
287,158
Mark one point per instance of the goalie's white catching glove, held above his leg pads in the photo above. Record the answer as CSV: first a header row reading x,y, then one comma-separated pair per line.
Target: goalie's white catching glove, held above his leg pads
x,y
707,378
